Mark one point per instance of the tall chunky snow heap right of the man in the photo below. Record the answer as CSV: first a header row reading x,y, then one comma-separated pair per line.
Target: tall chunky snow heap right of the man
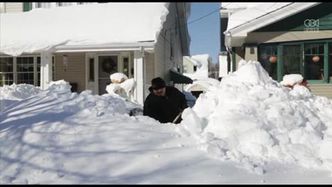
x,y
253,119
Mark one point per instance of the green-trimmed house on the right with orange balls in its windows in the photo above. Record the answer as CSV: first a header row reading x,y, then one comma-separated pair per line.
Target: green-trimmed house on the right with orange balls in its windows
x,y
286,38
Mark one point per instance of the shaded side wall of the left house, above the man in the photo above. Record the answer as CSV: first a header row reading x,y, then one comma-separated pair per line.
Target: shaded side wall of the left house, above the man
x,y
163,60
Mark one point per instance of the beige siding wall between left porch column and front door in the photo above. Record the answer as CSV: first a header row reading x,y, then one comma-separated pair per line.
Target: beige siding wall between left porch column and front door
x,y
75,71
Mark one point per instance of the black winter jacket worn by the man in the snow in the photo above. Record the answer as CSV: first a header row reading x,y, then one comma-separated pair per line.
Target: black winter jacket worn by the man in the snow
x,y
165,108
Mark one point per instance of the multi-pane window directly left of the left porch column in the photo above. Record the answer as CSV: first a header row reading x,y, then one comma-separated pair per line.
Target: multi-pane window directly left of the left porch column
x,y
25,73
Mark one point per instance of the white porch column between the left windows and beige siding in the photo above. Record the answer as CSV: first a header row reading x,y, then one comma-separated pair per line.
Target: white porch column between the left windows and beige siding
x,y
45,69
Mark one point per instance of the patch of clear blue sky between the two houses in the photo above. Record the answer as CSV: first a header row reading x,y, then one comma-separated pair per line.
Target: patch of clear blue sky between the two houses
x,y
204,33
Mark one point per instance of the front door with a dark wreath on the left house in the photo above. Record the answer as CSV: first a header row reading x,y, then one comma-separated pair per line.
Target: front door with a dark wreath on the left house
x,y
107,66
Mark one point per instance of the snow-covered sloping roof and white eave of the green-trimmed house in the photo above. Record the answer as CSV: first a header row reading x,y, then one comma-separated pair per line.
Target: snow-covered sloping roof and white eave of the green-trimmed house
x,y
259,15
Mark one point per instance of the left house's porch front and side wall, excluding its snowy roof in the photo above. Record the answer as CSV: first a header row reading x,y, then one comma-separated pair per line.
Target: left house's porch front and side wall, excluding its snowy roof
x,y
89,66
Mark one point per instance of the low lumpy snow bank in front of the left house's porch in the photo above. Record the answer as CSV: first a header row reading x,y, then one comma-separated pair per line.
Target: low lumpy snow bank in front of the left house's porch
x,y
79,104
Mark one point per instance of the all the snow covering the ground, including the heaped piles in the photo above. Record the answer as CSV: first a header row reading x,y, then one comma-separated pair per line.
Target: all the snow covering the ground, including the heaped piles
x,y
248,129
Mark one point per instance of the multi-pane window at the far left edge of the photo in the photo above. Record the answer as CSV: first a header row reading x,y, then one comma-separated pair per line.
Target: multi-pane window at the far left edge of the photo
x,y
6,71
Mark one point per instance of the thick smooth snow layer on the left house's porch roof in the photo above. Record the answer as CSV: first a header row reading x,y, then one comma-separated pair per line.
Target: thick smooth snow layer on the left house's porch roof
x,y
81,25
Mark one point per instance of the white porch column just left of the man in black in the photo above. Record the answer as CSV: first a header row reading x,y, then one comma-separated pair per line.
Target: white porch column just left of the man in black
x,y
139,77
